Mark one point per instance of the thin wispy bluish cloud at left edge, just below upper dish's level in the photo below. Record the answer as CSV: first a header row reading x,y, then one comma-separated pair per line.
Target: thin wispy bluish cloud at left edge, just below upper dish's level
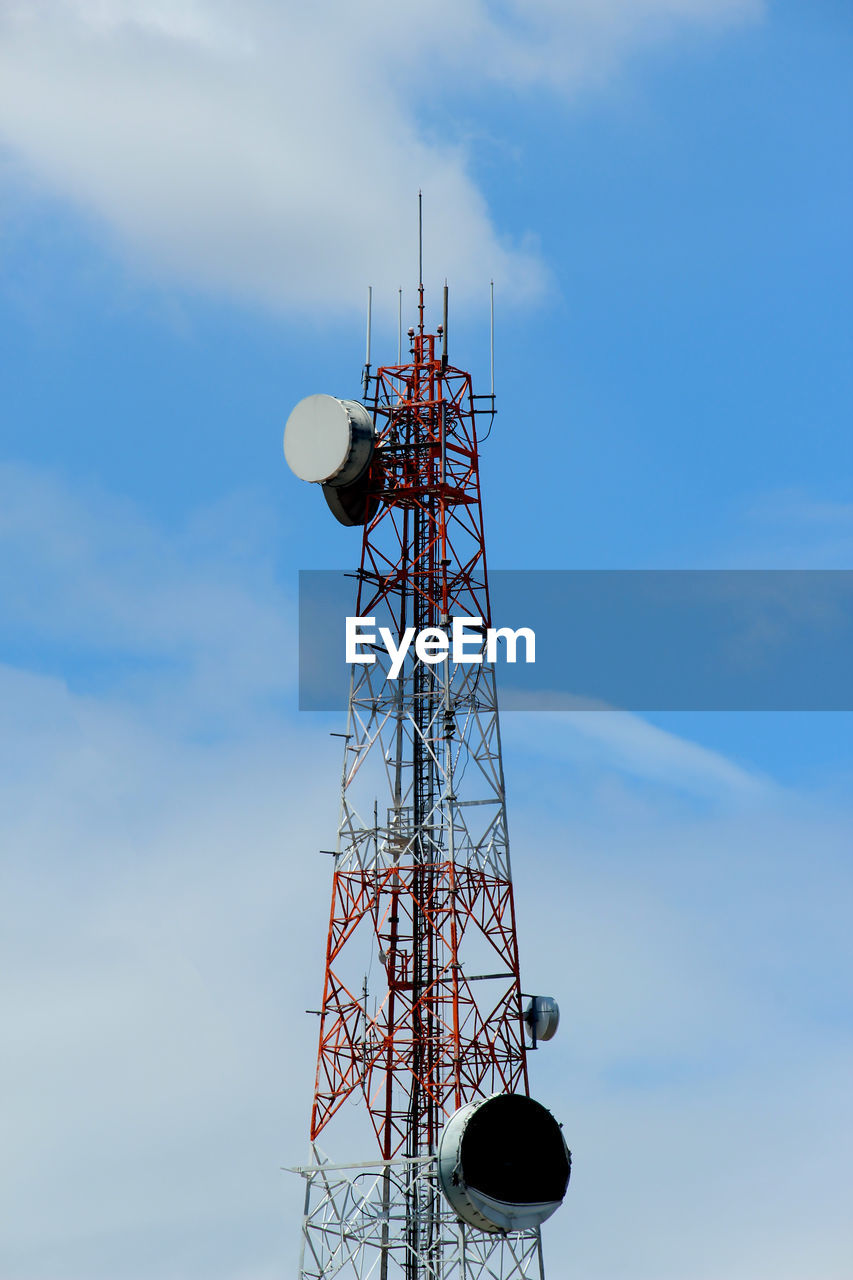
x,y
85,575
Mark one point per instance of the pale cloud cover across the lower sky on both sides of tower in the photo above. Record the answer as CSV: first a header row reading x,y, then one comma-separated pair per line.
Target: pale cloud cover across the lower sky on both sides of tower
x,y
163,929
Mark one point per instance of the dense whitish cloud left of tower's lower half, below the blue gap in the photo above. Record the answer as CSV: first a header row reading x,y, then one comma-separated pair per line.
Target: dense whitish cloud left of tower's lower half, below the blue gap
x,y
161,900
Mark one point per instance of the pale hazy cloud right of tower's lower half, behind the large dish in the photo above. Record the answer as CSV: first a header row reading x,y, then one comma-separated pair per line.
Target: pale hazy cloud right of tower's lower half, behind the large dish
x,y
703,967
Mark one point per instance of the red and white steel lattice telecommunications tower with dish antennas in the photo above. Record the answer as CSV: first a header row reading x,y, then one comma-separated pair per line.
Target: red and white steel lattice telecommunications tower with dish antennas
x,y
423,1023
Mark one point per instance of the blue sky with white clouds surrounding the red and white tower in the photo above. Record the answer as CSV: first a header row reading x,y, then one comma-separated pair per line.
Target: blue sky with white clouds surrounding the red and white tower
x,y
194,199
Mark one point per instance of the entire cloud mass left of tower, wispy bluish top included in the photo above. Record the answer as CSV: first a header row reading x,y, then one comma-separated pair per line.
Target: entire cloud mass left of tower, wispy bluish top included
x,y
162,890
